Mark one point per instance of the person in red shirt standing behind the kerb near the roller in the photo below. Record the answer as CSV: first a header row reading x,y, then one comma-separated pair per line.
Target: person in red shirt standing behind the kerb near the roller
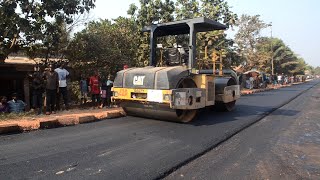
x,y
95,89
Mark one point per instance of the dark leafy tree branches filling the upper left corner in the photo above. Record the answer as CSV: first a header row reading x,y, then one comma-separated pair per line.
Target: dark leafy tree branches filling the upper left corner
x,y
25,22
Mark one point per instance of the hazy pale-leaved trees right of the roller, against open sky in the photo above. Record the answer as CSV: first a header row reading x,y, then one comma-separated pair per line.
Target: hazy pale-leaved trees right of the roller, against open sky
x,y
258,51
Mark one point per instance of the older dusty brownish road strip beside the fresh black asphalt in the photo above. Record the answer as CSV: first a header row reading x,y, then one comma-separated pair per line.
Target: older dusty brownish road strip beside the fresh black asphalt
x,y
283,145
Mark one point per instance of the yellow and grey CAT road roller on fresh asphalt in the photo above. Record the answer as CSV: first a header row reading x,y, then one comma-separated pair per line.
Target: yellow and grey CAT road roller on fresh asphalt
x,y
177,83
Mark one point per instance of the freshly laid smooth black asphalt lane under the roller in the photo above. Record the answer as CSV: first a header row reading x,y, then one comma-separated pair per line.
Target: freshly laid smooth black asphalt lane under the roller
x,y
130,147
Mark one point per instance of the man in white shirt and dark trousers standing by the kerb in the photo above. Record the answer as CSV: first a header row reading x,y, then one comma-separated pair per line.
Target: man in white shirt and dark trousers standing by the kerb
x,y
62,73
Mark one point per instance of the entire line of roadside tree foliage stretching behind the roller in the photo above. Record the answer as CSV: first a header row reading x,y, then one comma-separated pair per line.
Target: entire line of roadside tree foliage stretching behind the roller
x,y
41,29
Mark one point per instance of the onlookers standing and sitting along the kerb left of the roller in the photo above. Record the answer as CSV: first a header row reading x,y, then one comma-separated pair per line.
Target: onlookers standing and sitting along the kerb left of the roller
x,y
53,83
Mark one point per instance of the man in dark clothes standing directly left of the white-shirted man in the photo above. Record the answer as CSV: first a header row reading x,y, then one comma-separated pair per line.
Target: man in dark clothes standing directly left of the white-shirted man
x,y
52,85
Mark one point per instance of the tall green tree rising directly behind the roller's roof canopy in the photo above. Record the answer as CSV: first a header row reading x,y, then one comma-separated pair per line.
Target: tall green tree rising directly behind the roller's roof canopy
x,y
157,11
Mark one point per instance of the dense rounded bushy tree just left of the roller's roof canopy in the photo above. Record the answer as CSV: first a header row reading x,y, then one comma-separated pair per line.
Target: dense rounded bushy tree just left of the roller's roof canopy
x,y
104,45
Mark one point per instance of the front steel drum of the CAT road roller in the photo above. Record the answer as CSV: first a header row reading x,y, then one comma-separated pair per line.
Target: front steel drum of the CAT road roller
x,y
158,111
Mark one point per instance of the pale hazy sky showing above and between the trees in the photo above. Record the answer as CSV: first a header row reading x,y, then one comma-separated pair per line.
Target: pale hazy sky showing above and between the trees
x,y
296,22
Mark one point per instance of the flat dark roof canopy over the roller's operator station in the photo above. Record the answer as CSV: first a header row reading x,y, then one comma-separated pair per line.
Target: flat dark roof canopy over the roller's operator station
x,y
200,24
